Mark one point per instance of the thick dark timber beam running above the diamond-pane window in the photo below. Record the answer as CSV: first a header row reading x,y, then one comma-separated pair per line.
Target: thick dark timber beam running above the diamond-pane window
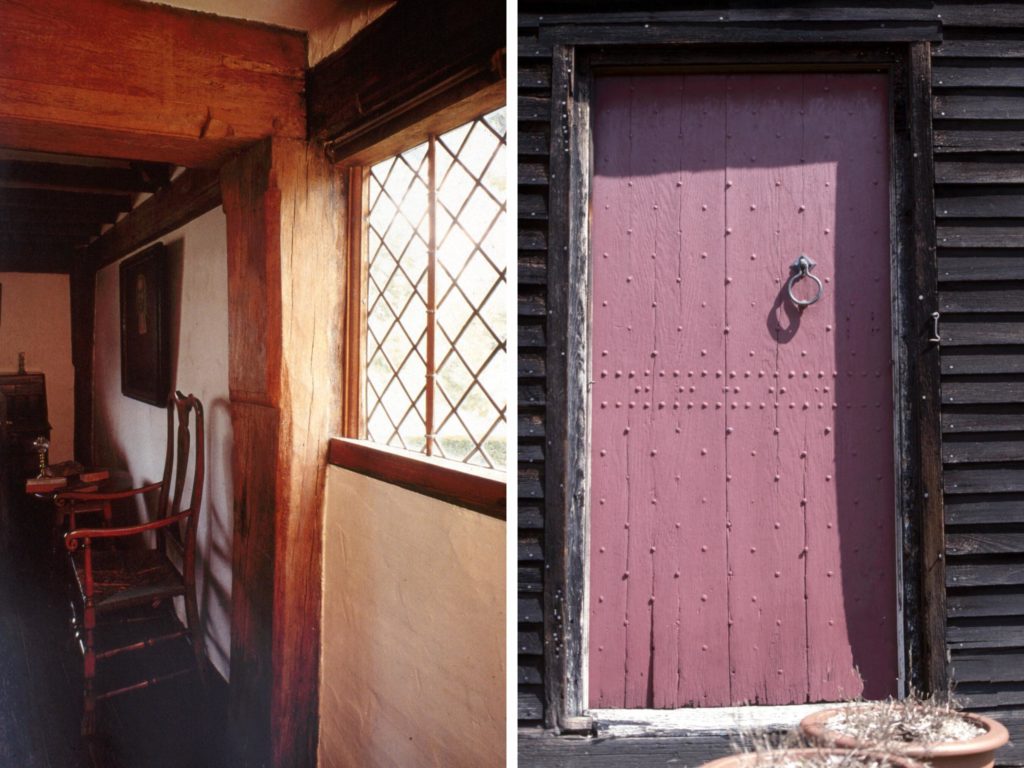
x,y
415,61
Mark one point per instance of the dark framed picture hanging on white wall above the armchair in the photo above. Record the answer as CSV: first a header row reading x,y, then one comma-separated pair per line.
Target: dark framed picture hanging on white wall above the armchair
x,y
145,345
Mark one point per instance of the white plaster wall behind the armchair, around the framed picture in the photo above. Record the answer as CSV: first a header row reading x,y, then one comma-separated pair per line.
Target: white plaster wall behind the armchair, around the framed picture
x,y
133,436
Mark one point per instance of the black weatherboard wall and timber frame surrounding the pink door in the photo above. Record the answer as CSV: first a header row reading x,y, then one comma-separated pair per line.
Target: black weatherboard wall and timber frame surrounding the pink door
x,y
969,241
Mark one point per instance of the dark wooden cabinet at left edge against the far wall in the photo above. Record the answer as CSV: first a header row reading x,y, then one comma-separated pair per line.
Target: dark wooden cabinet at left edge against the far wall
x,y
23,419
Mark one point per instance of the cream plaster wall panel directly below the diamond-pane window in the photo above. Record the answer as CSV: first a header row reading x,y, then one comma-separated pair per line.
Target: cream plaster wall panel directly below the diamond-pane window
x,y
413,665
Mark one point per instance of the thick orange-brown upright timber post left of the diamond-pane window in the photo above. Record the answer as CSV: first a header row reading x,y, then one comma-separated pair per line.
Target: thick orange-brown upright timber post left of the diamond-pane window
x,y
284,204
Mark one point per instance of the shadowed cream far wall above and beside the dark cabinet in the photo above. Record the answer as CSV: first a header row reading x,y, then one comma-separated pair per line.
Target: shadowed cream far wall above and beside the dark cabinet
x,y
35,319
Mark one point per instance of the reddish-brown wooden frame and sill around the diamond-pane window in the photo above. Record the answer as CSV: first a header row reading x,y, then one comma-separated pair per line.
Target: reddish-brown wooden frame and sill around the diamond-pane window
x,y
465,485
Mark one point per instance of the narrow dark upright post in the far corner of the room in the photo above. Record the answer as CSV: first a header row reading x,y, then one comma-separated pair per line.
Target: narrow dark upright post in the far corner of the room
x,y
83,303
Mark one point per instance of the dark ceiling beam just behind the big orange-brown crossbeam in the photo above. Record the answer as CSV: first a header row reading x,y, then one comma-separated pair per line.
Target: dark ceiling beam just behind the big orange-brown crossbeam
x,y
19,175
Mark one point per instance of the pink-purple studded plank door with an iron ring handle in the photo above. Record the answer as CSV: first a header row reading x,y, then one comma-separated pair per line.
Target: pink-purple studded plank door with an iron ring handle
x,y
742,475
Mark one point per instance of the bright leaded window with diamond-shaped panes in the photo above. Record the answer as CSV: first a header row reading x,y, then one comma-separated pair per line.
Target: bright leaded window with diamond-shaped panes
x,y
437,271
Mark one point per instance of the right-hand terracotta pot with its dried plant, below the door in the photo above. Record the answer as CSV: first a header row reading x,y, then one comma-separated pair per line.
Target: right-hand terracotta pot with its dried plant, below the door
x,y
924,731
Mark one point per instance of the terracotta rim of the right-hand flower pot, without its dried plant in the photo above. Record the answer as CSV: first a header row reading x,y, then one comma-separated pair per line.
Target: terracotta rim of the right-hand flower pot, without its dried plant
x,y
972,753
